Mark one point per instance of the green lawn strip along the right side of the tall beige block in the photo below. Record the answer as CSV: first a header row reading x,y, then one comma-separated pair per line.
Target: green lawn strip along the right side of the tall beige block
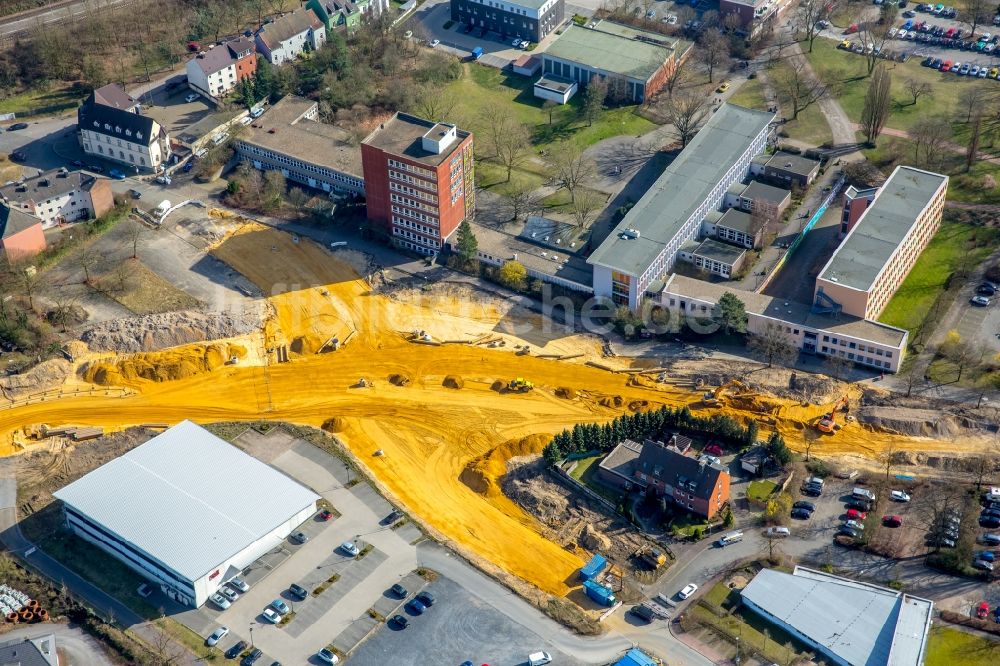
x,y
953,245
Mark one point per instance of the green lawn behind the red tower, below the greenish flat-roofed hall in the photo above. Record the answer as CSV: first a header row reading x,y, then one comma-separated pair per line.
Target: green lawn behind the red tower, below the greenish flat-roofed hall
x,y
483,87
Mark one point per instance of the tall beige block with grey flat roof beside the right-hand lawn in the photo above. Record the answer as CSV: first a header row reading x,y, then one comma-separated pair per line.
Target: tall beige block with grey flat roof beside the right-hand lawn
x,y
881,248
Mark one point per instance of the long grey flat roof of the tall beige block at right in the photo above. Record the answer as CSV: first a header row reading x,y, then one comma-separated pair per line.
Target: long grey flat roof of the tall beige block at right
x,y
882,227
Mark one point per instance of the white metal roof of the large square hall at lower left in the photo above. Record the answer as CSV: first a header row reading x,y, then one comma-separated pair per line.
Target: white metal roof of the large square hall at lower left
x,y
188,499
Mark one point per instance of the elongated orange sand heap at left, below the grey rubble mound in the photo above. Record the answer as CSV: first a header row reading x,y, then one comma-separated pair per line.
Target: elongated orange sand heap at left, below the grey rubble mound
x,y
163,366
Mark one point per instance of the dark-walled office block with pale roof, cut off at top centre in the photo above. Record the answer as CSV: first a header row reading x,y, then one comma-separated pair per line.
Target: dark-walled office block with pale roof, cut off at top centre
x,y
529,20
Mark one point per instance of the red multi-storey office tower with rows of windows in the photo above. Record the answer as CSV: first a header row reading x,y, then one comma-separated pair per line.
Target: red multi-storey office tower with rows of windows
x,y
418,181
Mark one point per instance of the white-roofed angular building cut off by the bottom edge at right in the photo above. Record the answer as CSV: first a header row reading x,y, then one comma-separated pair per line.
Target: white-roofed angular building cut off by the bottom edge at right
x,y
851,623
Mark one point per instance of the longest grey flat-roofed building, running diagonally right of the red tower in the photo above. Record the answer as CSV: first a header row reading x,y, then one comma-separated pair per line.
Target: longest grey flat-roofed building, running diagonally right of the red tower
x,y
643,247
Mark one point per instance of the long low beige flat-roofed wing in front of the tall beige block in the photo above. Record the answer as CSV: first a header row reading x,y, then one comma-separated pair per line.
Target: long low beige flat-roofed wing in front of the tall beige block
x,y
861,341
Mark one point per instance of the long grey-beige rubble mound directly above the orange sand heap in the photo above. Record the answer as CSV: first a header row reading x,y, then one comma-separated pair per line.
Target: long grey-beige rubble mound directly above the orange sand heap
x,y
168,329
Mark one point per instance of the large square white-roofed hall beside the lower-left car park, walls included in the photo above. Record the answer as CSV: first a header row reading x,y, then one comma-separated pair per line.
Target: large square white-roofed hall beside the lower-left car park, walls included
x,y
162,510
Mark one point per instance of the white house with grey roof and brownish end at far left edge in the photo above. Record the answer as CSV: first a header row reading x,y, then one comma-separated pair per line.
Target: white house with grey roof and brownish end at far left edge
x,y
59,196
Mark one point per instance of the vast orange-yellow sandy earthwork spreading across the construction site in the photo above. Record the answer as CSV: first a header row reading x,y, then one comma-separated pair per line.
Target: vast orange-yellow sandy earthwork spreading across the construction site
x,y
440,445
